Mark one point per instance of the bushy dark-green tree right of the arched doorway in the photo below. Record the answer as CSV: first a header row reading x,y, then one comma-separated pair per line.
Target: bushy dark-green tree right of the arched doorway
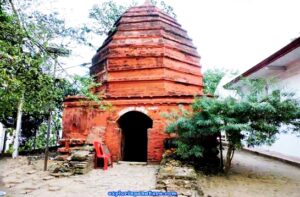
x,y
254,118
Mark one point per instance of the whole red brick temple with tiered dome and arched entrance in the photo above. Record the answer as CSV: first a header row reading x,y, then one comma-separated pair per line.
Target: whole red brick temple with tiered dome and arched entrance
x,y
147,66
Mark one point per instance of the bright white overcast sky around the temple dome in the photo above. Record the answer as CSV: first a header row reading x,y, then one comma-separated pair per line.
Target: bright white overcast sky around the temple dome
x,y
232,34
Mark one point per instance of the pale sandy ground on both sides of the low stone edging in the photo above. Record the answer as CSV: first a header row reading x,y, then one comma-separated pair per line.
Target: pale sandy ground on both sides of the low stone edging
x,y
251,176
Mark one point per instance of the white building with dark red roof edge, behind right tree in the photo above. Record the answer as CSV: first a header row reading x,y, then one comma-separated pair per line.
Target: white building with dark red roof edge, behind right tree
x,y
284,67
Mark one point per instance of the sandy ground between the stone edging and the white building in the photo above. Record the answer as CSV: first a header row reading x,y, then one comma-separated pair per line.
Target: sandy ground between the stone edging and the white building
x,y
254,176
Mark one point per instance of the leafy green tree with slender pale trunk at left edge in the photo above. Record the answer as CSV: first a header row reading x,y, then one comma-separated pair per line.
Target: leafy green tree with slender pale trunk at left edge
x,y
24,85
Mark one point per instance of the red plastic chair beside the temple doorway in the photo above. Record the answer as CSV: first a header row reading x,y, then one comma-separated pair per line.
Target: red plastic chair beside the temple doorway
x,y
102,154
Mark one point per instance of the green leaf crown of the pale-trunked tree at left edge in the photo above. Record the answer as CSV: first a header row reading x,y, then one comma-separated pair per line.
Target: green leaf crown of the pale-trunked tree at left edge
x,y
20,71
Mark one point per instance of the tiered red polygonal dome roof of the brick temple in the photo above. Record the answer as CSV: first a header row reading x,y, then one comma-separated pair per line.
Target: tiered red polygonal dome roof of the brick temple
x,y
148,54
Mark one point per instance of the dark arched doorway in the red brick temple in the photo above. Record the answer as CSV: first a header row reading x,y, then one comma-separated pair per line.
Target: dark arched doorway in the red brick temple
x,y
134,126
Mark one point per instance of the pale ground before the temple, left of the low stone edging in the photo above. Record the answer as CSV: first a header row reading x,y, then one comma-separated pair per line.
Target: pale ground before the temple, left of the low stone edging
x,y
20,179
